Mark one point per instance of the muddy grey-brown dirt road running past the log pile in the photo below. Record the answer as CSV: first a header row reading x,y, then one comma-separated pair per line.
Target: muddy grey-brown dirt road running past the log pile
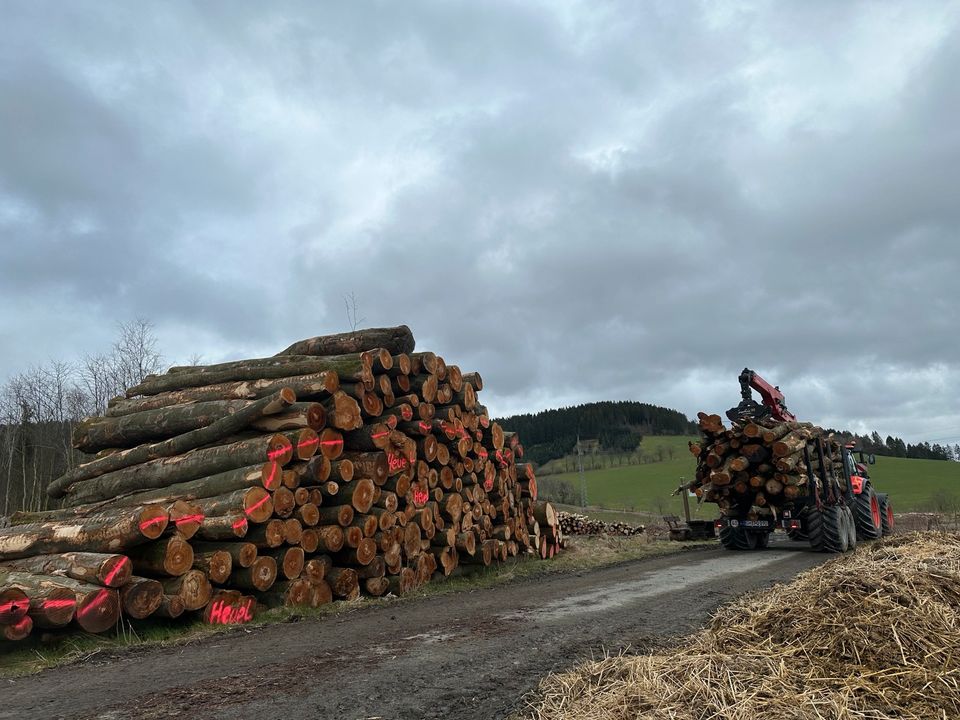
x,y
471,655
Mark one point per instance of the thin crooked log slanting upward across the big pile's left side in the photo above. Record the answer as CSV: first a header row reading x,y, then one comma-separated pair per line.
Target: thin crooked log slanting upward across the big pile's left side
x,y
178,445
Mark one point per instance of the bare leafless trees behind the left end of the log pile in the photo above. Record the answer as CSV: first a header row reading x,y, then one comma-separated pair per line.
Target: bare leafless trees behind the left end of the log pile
x,y
38,409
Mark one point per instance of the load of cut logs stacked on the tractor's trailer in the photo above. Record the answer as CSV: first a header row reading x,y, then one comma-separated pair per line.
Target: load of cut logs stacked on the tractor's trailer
x,y
759,466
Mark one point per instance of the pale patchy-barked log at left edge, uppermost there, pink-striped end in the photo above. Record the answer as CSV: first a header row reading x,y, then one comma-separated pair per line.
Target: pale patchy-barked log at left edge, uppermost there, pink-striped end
x,y
106,532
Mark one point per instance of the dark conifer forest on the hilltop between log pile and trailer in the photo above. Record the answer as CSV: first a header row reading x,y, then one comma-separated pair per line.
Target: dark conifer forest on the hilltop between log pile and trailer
x,y
619,426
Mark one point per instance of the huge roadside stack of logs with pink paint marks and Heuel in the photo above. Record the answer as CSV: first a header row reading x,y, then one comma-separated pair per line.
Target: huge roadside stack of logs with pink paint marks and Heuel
x,y
345,465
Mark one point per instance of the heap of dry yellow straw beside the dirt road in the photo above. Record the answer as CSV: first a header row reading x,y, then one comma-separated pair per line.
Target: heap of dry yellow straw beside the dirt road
x,y
872,636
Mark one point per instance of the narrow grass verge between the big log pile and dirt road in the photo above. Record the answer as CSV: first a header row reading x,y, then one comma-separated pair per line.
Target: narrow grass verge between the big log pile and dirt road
x,y
582,553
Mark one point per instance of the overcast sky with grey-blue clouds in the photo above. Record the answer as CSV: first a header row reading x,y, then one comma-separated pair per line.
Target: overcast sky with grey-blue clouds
x,y
581,200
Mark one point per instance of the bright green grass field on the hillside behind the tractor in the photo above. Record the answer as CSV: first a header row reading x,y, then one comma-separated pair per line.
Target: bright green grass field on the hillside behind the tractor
x,y
914,485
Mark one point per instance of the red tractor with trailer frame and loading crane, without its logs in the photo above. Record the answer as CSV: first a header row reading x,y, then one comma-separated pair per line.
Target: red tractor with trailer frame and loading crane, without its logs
x,y
839,506
